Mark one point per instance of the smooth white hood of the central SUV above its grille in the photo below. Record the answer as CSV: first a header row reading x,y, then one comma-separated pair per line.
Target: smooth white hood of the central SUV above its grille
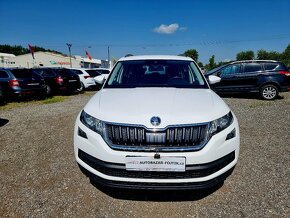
x,y
173,106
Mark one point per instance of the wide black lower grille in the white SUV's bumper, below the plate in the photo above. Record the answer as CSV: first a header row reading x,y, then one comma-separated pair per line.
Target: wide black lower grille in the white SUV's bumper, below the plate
x,y
192,171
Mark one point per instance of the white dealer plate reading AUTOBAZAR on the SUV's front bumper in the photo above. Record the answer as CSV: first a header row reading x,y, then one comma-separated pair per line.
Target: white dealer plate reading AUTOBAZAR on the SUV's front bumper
x,y
169,164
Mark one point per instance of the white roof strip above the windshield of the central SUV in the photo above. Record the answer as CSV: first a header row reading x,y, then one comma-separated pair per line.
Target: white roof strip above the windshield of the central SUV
x,y
155,57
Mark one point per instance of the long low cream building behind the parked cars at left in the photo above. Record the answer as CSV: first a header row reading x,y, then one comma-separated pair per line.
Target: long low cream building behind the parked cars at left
x,y
49,59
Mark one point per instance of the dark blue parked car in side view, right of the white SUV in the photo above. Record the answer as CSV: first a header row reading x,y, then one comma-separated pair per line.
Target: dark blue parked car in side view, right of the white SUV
x,y
267,78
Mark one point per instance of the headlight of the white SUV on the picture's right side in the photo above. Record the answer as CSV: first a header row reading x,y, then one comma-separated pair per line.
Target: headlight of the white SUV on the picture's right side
x,y
220,124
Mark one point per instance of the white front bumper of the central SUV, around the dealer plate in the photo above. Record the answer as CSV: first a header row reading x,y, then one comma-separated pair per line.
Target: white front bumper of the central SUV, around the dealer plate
x,y
204,168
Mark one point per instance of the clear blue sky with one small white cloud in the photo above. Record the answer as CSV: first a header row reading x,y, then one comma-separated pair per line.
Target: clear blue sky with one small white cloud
x,y
220,28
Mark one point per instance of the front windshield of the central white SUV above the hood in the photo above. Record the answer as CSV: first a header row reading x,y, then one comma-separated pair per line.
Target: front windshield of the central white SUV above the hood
x,y
156,73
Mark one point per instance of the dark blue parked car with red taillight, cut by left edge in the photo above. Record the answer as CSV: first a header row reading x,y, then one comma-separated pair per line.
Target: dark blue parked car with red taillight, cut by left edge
x,y
21,82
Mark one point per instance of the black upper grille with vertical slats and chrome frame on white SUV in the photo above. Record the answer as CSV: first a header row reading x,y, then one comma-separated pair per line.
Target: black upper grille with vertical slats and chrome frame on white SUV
x,y
125,137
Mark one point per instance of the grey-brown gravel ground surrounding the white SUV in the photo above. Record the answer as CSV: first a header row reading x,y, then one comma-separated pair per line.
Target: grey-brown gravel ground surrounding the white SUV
x,y
39,176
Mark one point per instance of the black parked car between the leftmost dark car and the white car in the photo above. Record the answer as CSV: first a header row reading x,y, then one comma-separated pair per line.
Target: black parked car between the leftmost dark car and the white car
x,y
69,82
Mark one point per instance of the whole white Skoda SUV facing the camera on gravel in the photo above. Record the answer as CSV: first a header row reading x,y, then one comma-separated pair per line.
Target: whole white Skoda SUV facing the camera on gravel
x,y
156,124
